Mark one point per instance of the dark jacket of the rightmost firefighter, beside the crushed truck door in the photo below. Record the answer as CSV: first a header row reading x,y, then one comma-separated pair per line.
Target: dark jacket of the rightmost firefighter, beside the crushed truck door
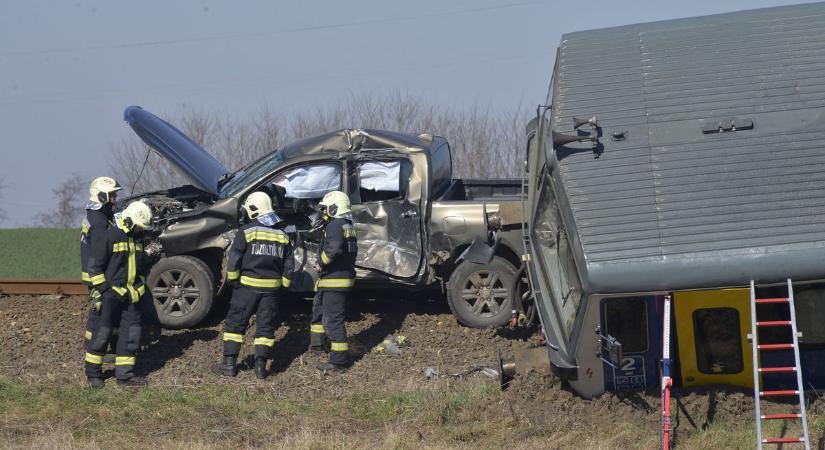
x,y
337,255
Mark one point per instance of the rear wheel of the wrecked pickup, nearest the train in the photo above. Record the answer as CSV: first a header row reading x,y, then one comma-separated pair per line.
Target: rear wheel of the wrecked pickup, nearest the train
x,y
480,295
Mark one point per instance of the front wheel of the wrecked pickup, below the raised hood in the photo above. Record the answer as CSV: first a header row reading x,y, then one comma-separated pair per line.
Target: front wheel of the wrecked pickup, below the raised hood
x,y
183,289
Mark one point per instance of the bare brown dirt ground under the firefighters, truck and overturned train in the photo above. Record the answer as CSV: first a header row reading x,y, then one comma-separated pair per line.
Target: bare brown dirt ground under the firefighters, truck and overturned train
x,y
41,342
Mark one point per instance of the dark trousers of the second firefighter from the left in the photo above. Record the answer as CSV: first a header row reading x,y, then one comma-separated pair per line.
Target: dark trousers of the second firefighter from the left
x,y
113,312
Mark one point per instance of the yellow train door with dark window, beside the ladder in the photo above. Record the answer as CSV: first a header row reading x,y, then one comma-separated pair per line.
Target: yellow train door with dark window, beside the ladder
x,y
712,329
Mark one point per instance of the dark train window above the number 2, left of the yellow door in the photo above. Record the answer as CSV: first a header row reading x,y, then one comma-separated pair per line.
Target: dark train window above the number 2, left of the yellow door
x,y
626,320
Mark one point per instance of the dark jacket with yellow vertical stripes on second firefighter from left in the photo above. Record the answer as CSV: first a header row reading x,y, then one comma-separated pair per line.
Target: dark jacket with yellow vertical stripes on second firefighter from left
x,y
118,263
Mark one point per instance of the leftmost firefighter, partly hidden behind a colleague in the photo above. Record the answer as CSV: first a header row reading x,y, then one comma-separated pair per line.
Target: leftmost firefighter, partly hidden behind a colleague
x,y
99,216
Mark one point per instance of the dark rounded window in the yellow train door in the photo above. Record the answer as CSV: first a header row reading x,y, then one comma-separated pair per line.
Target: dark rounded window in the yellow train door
x,y
718,343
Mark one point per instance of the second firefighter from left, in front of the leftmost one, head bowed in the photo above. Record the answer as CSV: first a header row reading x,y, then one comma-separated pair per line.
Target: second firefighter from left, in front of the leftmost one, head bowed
x,y
117,267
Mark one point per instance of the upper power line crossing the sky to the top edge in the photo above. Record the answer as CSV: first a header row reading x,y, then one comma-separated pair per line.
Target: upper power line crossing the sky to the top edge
x,y
128,45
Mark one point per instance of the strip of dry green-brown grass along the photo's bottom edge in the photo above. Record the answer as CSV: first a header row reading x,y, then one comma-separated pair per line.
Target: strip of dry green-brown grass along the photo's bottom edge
x,y
241,416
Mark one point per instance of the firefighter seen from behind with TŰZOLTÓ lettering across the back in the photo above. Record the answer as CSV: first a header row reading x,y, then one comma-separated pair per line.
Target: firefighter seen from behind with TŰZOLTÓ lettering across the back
x,y
259,265
